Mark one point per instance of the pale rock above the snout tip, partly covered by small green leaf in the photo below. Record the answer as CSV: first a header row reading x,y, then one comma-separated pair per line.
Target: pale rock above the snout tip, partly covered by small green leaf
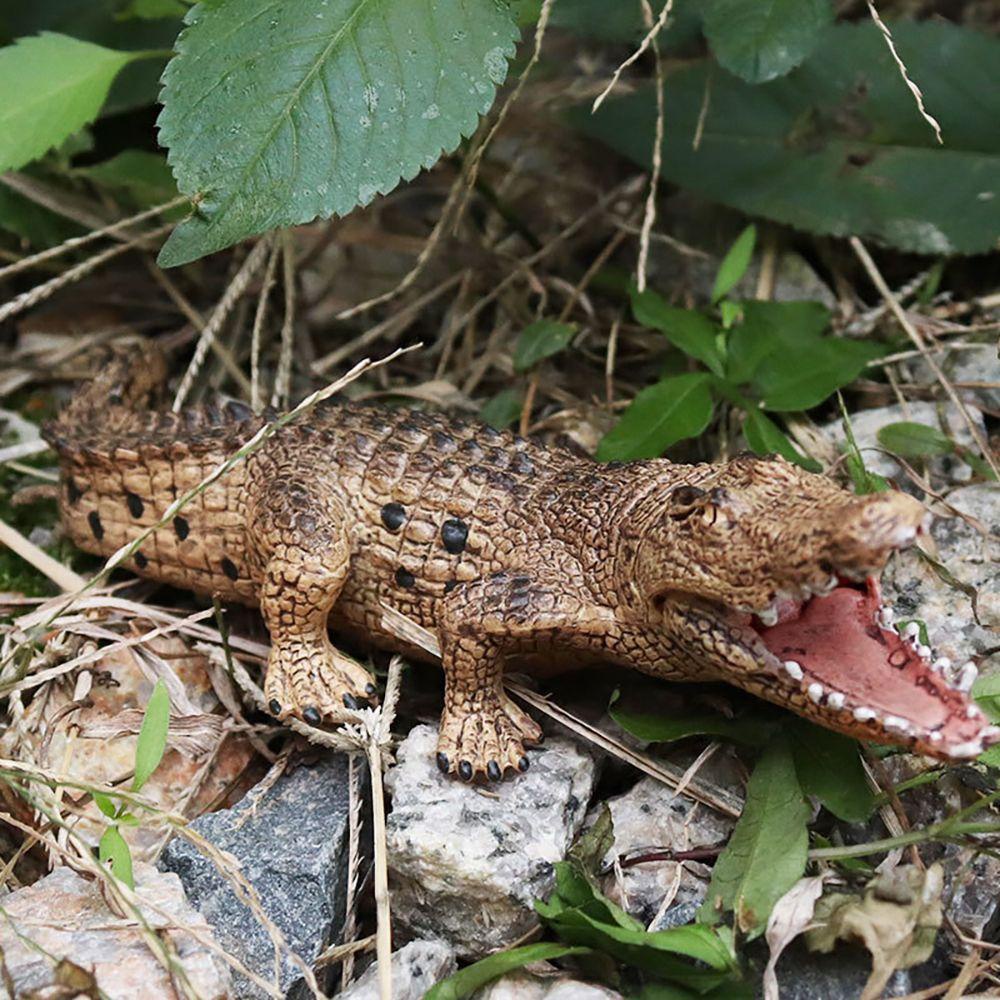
x,y
867,423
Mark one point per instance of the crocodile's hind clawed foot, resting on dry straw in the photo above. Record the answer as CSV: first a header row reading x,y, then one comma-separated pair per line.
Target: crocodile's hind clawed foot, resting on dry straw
x,y
315,685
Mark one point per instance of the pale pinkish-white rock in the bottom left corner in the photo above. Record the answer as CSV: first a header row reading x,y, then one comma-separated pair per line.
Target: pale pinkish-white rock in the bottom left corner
x,y
65,916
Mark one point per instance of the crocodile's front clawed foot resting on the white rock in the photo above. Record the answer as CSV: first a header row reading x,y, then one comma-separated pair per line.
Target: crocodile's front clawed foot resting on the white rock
x,y
486,742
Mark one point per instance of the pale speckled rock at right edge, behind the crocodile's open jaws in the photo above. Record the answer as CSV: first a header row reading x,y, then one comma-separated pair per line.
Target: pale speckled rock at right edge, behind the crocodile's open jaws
x,y
914,589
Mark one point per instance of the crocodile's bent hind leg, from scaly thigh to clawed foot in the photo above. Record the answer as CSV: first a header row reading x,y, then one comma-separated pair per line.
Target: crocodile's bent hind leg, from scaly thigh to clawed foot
x,y
303,548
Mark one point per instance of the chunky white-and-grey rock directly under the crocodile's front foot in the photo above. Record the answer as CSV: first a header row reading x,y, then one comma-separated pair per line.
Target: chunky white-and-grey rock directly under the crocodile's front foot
x,y
466,864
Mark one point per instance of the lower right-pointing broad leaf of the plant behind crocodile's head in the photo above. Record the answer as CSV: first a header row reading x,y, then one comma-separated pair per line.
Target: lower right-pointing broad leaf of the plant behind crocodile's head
x,y
797,379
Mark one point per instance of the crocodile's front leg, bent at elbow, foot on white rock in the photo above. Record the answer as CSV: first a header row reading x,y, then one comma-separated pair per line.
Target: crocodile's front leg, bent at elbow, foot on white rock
x,y
482,731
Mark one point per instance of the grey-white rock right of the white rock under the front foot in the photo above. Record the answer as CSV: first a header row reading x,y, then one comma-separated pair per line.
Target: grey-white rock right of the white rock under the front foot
x,y
661,894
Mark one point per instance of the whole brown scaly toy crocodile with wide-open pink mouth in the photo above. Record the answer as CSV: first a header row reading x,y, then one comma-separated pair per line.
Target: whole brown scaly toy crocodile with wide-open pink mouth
x,y
752,571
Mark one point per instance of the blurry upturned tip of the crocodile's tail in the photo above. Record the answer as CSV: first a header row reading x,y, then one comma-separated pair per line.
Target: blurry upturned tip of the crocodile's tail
x,y
127,376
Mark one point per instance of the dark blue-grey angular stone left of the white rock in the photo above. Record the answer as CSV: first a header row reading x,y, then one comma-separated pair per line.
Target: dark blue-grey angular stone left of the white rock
x,y
290,841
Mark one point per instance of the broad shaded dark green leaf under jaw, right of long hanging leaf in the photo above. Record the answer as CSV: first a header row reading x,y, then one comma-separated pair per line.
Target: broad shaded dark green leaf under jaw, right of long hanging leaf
x,y
829,767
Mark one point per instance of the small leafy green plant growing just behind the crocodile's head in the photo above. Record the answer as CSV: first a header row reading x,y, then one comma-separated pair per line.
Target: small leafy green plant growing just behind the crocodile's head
x,y
761,357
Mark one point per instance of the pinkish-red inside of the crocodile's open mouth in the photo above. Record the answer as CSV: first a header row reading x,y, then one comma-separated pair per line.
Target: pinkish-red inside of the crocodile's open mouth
x,y
838,642
